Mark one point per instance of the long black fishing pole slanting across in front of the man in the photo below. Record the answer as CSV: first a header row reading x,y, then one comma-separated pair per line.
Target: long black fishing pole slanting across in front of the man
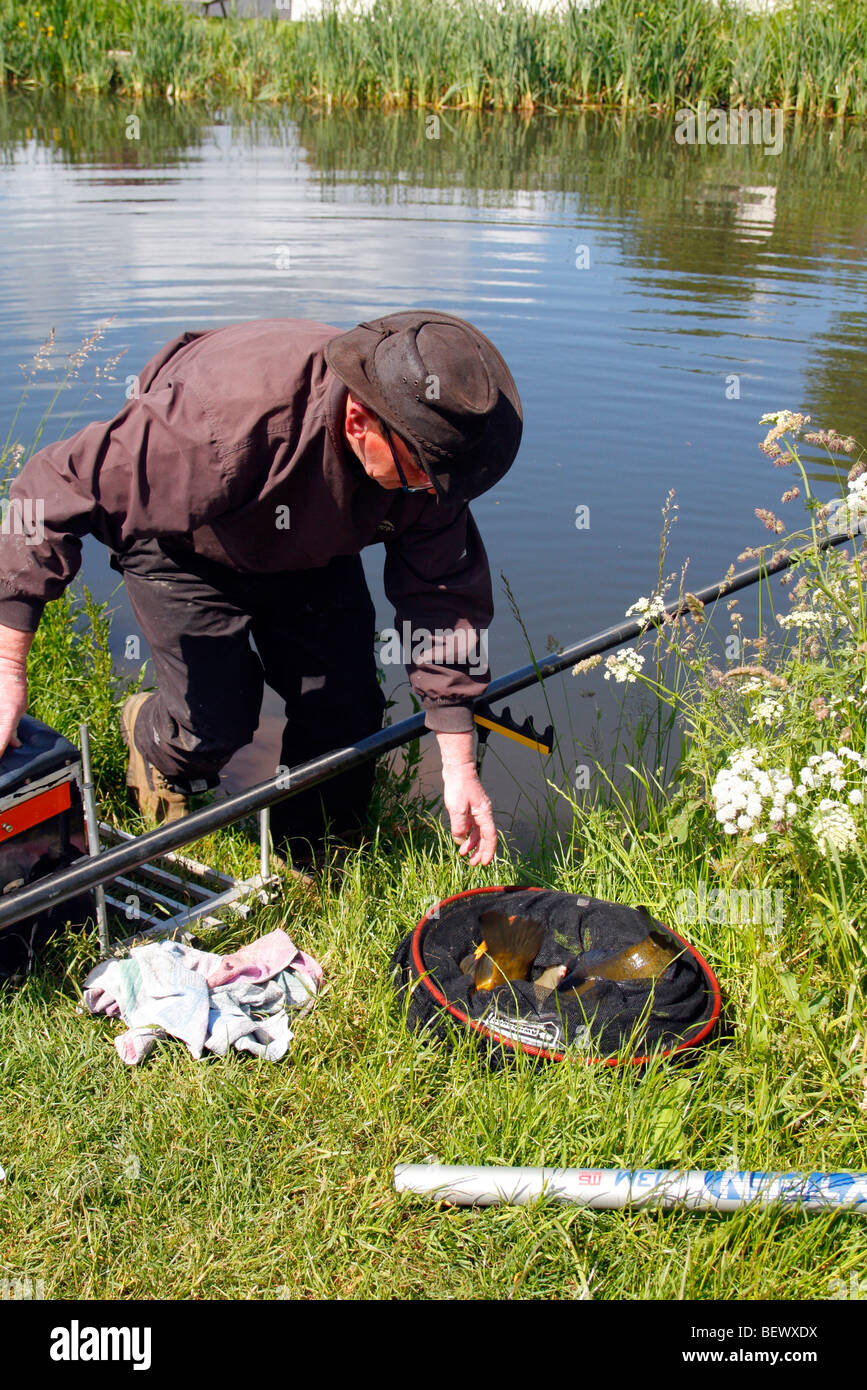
x,y
91,872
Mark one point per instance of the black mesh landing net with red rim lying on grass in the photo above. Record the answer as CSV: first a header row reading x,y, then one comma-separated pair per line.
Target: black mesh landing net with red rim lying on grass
x,y
609,1018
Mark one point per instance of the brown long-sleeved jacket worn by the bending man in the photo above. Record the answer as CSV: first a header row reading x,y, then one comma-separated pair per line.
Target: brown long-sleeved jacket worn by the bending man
x,y
236,444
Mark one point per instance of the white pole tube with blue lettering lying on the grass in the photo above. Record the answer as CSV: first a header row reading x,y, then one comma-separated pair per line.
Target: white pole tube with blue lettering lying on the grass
x,y
612,1189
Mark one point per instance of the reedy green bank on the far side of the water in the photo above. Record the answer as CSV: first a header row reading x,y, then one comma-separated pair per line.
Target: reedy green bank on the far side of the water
x,y
618,54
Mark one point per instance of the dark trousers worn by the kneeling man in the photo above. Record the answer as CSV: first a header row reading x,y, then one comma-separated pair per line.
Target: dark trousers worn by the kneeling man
x,y
315,646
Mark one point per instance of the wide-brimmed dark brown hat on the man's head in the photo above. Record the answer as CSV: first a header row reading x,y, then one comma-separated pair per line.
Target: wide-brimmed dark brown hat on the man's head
x,y
440,384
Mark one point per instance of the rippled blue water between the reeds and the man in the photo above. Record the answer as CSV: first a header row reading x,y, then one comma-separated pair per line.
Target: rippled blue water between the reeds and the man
x,y
654,301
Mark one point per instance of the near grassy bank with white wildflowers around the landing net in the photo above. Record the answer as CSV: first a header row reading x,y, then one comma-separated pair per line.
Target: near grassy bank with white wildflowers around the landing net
x,y
238,1179
